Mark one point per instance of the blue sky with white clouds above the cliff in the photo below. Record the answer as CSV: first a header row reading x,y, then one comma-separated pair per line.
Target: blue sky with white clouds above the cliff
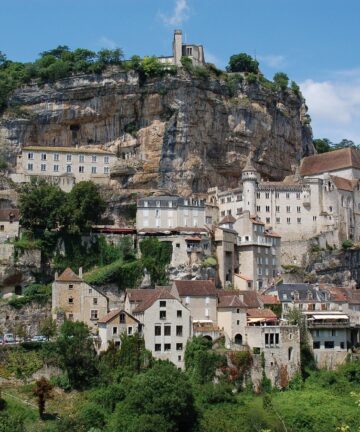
x,y
314,41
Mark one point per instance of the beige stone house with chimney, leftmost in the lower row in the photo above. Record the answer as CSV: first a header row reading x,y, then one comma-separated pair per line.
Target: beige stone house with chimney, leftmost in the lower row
x,y
75,300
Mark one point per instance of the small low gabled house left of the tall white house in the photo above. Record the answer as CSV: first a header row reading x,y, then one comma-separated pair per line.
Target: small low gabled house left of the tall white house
x,y
114,324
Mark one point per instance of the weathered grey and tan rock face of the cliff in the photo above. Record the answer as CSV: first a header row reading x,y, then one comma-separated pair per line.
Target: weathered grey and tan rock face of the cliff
x,y
175,133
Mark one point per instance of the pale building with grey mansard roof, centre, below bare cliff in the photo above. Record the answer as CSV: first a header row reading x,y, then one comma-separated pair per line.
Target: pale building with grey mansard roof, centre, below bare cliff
x,y
169,212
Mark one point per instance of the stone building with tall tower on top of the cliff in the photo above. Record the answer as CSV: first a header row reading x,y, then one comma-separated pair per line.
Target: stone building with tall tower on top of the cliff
x,y
180,49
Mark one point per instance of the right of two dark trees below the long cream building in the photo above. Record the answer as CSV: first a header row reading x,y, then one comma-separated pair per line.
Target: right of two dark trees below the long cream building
x,y
84,207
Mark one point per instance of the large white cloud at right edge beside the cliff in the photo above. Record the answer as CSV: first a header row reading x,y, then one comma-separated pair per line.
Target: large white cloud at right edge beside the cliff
x,y
334,106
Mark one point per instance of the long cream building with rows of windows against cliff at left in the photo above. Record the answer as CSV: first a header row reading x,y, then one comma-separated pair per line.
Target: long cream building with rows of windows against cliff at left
x,y
63,166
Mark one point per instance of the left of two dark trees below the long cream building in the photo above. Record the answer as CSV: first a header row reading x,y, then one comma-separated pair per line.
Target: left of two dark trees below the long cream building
x,y
41,205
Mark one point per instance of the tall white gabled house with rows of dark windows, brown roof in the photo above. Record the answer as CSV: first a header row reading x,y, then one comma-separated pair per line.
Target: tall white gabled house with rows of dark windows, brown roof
x,y
166,322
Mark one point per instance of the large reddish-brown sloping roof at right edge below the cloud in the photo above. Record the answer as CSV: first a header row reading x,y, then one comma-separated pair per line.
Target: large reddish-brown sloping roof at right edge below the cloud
x,y
331,161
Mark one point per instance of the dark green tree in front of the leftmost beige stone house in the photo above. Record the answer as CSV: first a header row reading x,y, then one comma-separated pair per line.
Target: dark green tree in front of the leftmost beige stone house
x,y
76,354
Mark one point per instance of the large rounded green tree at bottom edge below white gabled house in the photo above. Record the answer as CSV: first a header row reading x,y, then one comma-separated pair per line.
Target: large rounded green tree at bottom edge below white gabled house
x,y
159,400
